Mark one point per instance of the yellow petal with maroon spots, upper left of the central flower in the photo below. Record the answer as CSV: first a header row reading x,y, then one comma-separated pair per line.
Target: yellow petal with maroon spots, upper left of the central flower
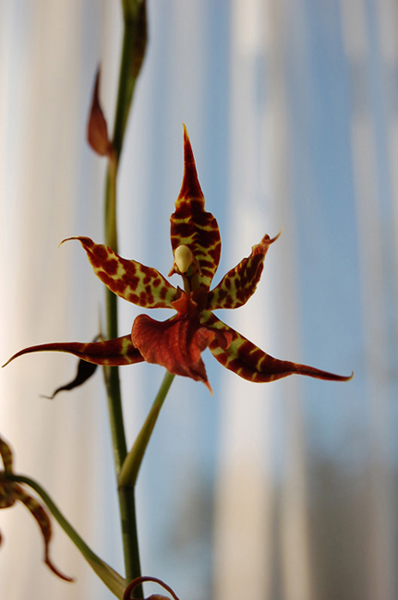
x,y
128,279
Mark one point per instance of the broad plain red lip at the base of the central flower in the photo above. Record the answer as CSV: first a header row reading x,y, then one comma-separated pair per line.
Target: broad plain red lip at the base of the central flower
x,y
176,344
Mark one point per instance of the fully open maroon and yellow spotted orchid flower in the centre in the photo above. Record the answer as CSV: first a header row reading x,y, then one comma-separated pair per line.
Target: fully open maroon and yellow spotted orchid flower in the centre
x,y
177,343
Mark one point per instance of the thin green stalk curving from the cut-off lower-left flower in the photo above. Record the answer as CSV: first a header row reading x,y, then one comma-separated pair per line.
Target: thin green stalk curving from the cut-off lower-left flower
x,y
115,582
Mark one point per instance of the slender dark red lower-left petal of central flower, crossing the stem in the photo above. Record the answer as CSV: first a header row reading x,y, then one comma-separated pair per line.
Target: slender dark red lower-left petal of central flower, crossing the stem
x,y
110,353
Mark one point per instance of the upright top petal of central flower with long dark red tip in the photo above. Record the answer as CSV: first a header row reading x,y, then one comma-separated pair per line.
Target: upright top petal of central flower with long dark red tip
x,y
191,225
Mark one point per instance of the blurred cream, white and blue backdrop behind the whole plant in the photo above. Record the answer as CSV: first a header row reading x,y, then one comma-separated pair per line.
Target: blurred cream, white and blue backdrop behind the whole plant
x,y
281,491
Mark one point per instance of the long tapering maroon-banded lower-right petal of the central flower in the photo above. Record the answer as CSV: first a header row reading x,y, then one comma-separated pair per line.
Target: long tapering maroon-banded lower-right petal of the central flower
x,y
248,361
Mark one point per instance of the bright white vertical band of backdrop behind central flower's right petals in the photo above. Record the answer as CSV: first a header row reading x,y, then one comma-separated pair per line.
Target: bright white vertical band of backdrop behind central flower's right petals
x,y
243,526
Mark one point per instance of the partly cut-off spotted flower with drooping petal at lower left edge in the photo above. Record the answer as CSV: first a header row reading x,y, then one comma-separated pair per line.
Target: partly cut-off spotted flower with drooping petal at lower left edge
x,y
10,492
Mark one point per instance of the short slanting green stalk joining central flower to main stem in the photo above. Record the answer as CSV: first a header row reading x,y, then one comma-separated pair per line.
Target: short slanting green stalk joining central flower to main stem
x,y
131,466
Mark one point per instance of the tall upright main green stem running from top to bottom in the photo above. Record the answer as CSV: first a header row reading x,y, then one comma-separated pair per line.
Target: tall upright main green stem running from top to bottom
x,y
133,50
